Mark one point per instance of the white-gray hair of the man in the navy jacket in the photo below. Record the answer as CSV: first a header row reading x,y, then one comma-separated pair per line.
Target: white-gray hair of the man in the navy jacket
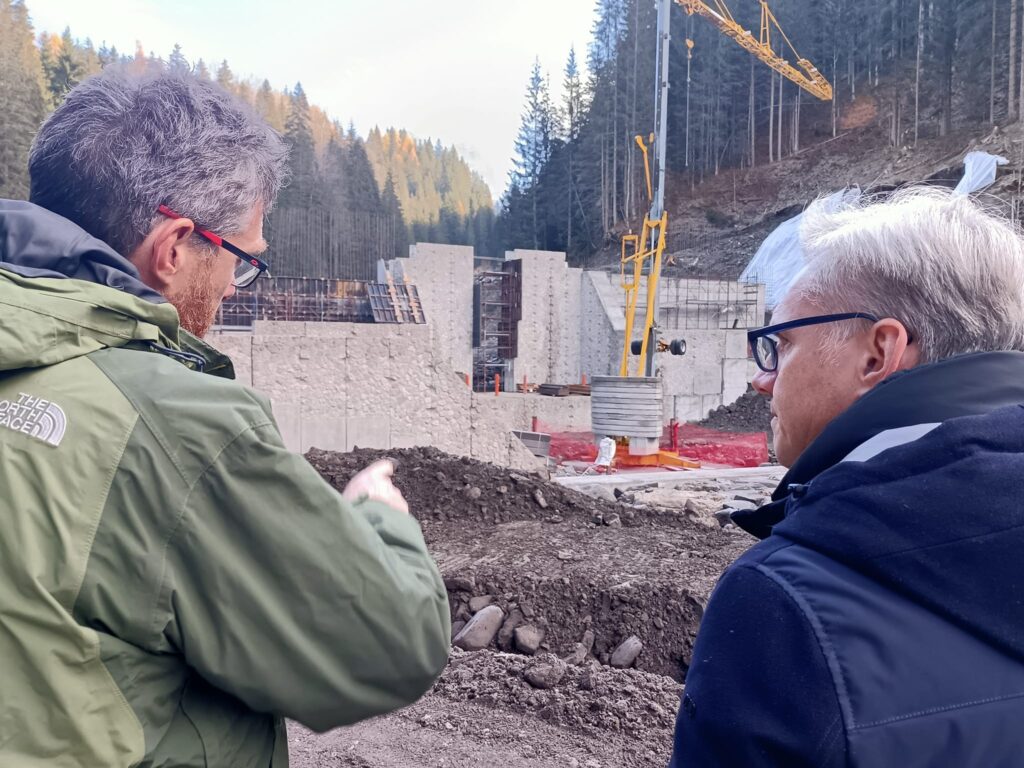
x,y
952,272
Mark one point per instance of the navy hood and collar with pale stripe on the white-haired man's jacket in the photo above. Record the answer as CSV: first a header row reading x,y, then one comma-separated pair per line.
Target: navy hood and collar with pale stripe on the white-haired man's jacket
x,y
934,510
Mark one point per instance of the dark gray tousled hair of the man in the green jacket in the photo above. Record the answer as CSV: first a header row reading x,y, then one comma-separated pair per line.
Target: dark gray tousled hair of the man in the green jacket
x,y
123,144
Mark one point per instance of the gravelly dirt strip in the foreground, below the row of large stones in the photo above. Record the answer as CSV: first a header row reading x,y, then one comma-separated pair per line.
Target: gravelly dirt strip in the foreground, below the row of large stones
x,y
483,712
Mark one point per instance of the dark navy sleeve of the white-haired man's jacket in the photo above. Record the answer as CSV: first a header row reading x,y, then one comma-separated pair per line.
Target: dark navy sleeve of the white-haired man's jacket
x,y
759,692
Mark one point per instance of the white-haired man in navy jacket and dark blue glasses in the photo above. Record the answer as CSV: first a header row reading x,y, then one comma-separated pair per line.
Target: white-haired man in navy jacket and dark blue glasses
x,y
881,620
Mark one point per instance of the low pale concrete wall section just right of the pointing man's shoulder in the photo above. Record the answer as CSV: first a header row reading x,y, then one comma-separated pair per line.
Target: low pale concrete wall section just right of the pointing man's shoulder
x,y
339,387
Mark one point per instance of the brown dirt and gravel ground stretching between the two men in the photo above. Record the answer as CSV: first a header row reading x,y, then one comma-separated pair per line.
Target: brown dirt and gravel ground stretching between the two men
x,y
583,564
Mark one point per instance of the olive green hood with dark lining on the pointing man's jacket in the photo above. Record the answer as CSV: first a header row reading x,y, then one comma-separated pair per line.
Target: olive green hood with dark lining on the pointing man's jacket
x,y
65,294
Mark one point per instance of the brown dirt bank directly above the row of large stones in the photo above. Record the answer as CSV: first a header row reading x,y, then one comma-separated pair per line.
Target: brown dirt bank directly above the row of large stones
x,y
589,584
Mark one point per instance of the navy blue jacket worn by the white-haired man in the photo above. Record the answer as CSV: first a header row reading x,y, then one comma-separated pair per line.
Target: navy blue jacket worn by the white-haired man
x,y
881,621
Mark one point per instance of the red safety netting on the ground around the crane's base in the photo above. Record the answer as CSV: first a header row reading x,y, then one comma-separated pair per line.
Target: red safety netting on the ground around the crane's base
x,y
707,446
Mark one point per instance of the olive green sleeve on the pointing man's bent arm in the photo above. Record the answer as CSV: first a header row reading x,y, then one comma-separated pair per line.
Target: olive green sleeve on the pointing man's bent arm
x,y
295,602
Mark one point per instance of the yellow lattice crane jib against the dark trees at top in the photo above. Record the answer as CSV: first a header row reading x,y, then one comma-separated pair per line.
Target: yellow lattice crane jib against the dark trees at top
x,y
807,77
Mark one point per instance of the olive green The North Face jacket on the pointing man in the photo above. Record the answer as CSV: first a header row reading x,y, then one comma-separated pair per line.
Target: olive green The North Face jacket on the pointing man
x,y
175,582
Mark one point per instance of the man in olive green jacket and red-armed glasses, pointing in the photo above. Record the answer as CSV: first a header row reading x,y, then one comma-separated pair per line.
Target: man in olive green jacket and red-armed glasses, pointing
x,y
174,582
